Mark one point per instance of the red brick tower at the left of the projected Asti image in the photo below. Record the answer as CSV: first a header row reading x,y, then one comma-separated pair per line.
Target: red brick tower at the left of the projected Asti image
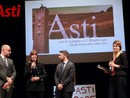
x,y
40,30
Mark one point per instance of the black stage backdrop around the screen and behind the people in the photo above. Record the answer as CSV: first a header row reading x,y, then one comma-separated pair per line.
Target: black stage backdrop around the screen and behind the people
x,y
12,32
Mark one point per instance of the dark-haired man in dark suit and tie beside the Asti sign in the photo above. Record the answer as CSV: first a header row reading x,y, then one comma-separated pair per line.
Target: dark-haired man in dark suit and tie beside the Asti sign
x,y
64,76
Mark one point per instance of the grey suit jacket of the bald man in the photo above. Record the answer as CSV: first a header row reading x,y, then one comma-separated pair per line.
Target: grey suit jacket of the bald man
x,y
6,71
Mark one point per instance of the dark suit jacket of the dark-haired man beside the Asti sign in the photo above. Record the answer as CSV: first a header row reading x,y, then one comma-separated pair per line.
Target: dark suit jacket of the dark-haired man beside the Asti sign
x,y
67,77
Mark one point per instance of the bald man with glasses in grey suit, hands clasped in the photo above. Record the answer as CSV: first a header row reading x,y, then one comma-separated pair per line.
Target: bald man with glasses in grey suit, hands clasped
x,y
7,72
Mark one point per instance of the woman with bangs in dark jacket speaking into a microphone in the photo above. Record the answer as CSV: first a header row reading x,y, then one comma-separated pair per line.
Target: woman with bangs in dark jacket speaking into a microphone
x,y
35,75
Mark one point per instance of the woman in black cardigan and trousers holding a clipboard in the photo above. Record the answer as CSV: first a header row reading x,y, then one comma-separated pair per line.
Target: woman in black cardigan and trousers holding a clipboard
x,y
118,75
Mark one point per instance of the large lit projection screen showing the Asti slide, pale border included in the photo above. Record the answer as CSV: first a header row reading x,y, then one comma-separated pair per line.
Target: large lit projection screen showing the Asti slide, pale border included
x,y
86,28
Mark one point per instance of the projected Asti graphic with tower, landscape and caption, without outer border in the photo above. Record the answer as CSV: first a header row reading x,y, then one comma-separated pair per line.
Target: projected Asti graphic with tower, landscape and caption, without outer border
x,y
67,29
